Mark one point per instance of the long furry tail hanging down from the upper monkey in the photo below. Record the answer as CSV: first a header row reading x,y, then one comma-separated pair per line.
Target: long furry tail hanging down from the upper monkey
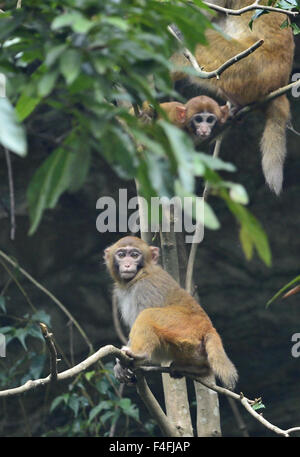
x,y
273,142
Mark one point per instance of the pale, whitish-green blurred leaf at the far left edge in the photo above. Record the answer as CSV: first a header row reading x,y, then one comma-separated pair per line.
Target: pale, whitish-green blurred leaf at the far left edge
x,y
12,135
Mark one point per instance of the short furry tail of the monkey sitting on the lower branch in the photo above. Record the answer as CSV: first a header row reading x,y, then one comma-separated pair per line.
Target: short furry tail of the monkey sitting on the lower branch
x,y
218,360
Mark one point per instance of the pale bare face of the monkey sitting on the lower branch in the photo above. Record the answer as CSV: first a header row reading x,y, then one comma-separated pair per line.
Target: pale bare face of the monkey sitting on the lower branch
x,y
128,261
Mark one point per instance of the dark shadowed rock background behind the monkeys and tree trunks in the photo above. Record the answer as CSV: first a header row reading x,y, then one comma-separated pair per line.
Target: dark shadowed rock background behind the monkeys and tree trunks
x,y
66,256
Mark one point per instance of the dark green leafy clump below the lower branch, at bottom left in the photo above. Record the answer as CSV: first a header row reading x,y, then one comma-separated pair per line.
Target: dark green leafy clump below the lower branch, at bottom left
x,y
92,407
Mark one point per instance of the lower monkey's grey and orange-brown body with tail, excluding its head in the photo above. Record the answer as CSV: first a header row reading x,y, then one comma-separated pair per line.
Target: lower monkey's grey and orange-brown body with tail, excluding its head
x,y
171,326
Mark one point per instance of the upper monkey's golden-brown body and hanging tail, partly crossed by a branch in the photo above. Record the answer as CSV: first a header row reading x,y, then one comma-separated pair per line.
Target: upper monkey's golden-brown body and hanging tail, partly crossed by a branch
x,y
252,78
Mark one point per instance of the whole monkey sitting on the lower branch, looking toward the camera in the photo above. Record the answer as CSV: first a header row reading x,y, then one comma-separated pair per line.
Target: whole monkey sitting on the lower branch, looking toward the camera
x,y
167,324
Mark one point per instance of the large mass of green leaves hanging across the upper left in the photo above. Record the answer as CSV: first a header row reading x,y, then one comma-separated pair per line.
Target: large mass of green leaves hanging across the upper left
x,y
78,64
